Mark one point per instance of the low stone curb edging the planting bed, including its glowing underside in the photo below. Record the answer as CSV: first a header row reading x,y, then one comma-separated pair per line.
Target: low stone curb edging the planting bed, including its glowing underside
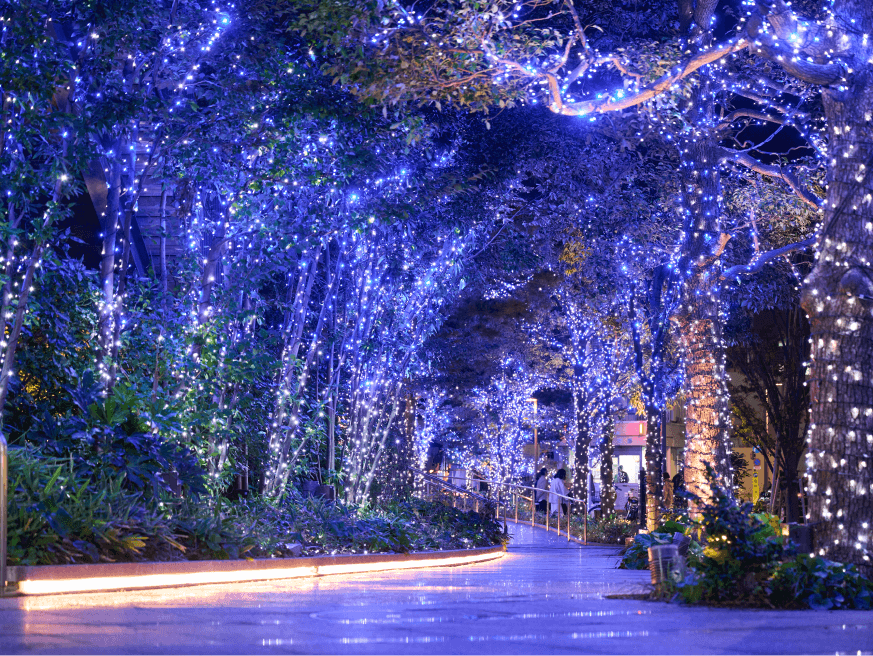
x,y
102,577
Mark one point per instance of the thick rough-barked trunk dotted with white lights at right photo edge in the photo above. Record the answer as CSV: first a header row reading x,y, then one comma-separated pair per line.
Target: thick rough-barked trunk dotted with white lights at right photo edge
x,y
838,296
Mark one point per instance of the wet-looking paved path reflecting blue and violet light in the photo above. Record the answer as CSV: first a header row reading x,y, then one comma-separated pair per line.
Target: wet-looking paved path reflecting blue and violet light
x,y
544,597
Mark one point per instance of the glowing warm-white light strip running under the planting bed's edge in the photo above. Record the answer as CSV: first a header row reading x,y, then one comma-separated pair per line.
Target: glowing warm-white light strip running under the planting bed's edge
x,y
50,580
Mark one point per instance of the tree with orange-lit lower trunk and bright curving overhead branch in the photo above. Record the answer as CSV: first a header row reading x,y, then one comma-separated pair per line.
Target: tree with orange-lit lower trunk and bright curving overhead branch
x,y
504,54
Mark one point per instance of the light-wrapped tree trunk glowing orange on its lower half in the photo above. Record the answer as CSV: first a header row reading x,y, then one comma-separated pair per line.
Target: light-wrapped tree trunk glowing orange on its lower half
x,y
707,412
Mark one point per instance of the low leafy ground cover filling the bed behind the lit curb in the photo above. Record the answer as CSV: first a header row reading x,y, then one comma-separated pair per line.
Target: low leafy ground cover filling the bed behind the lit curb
x,y
60,515
